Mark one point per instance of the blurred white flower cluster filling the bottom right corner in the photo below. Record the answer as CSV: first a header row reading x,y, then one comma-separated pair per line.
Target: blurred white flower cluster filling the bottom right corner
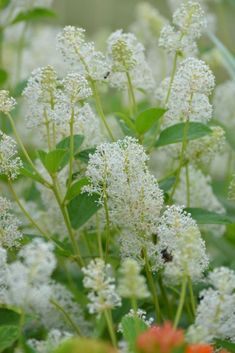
x,y
215,315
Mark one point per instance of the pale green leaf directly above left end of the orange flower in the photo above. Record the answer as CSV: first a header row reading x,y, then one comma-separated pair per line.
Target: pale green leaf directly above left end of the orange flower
x,y
132,327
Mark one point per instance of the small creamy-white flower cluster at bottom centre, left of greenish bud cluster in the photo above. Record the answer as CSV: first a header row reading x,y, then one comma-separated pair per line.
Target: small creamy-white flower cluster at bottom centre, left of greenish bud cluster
x,y
99,280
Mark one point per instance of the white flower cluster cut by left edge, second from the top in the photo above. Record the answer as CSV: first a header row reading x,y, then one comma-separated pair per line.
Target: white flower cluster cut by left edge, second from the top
x,y
10,163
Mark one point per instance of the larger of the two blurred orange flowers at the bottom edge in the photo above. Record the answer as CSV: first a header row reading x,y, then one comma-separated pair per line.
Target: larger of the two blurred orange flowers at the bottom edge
x,y
160,339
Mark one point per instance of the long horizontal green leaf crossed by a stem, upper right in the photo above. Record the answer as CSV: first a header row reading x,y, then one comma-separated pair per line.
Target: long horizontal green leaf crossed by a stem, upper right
x,y
175,133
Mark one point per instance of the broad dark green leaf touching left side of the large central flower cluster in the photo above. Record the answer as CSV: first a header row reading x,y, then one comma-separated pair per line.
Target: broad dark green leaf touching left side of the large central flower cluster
x,y
82,208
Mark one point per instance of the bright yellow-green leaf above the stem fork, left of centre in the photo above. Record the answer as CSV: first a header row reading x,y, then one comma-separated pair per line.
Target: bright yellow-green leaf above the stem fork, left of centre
x,y
53,161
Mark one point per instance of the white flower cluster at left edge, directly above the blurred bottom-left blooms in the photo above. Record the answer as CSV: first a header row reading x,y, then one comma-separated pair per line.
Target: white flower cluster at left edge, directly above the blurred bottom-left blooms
x,y
9,225
